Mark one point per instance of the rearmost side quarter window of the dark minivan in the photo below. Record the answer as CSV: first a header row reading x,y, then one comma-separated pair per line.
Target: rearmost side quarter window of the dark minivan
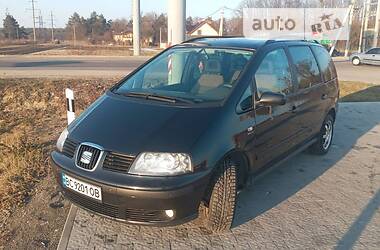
x,y
325,63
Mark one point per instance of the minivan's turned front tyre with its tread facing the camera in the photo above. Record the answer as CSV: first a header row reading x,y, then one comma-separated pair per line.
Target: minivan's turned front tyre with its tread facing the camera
x,y
223,188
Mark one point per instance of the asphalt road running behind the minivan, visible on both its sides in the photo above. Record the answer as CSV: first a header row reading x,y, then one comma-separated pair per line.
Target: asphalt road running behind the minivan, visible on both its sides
x,y
108,66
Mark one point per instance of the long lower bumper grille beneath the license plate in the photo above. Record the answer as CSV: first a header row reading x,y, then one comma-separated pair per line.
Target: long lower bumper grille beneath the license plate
x,y
126,214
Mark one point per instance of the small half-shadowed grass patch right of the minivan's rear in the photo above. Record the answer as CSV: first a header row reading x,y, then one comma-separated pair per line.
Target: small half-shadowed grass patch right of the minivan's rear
x,y
359,92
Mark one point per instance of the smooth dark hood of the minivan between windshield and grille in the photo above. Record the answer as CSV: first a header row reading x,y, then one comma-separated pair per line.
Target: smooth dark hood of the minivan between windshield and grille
x,y
131,125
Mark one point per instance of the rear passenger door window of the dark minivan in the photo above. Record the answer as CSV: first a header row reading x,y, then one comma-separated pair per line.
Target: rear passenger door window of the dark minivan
x,y
306,66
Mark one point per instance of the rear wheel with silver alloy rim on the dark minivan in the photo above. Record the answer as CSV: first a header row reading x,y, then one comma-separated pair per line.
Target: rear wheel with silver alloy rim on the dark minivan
x,y
324,138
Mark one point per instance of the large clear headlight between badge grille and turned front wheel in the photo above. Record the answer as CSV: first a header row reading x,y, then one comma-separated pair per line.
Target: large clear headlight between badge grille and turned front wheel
x,y
161,164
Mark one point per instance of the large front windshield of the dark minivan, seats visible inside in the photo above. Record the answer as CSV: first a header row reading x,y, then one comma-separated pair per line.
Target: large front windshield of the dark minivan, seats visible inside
x,y
187,74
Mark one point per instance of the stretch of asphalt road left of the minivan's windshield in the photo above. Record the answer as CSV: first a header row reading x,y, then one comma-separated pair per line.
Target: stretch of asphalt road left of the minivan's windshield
x,y
68,66
